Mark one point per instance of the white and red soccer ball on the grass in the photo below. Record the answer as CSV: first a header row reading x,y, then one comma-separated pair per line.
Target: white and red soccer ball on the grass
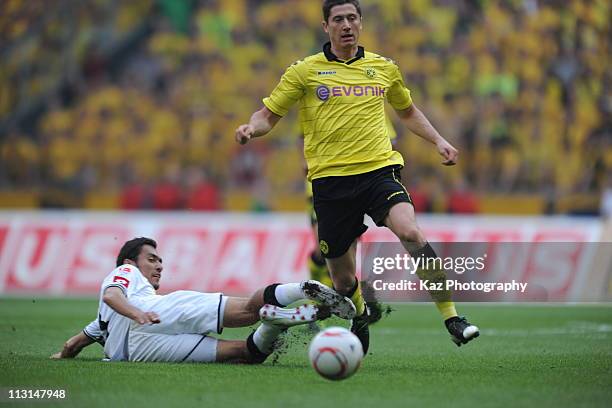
x,y
335,353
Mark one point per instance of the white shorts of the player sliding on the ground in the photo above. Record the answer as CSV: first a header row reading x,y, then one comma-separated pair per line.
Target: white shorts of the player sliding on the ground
x,y
186,318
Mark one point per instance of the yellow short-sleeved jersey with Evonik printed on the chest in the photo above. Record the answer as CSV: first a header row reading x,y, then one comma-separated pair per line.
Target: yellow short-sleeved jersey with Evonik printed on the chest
x,y
342,110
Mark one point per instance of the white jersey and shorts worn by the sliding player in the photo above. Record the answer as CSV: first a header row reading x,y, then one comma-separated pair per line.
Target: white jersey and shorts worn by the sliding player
x,y
186,319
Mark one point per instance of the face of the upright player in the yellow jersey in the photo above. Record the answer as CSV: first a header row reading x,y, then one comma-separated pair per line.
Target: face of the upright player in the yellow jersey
x,y
343,26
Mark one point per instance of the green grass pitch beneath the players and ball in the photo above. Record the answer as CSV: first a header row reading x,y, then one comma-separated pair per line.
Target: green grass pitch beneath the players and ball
x,y
526,356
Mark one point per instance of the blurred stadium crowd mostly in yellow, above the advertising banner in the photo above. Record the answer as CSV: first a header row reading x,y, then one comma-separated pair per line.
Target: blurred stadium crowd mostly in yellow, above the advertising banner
x,y
522,87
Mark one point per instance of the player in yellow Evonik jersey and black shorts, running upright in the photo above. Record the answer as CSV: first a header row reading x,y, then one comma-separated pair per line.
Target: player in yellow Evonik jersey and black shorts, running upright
x,y
351,163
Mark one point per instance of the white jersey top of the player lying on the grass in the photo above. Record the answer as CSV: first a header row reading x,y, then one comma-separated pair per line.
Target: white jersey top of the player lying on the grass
x,y
112,328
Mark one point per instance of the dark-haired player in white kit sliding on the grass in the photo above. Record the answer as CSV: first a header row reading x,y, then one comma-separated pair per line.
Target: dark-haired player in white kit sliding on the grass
x,y
136,324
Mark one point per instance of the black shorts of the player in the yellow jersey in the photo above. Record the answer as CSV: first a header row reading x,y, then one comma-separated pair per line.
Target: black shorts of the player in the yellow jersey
x,y
340,203
